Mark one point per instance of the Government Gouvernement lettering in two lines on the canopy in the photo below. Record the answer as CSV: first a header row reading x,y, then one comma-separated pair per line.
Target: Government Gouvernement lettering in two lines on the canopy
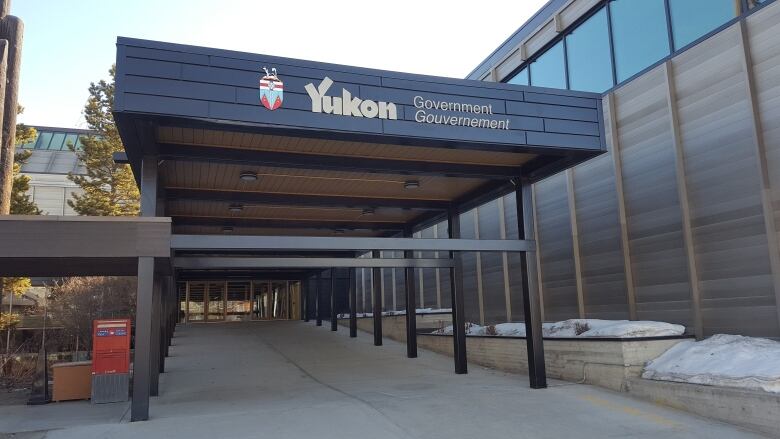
x,y
423,116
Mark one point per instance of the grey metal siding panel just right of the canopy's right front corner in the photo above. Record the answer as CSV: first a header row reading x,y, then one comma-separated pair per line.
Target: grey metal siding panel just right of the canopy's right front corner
x,y
652,206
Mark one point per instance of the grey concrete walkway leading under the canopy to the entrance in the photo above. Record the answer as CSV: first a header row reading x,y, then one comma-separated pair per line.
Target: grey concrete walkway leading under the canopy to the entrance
x,y
295,380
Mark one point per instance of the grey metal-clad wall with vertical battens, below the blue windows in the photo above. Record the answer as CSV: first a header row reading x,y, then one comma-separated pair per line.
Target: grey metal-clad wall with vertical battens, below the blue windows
x,y
678,222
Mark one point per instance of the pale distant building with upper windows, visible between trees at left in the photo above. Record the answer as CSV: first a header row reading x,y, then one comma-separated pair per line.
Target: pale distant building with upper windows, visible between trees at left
x,y
48,168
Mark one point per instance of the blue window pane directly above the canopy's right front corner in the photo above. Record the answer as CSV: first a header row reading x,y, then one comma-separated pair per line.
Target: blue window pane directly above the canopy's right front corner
x,y
587,50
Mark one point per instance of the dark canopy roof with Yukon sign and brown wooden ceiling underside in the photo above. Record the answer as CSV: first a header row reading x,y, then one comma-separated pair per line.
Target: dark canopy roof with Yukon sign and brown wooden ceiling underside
x,y
452,144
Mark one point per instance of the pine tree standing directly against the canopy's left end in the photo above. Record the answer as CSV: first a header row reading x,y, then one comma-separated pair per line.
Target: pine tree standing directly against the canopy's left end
x,y
109,188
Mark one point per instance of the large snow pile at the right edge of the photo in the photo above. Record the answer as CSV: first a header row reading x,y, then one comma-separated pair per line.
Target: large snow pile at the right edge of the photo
x,y
721,360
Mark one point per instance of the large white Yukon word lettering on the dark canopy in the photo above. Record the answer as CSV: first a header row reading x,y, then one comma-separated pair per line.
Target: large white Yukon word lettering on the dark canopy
x,y
346,105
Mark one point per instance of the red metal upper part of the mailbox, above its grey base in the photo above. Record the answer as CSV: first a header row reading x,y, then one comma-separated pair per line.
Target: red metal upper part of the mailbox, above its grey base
x,y
110,347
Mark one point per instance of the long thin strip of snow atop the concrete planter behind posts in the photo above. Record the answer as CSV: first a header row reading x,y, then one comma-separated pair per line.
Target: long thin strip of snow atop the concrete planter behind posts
x,y
580,328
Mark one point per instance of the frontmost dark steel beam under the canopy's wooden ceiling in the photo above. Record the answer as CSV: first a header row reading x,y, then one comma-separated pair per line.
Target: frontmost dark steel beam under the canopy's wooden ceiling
x,y
250,157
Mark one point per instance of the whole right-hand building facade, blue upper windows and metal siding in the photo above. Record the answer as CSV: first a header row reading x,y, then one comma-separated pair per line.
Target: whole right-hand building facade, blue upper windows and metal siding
x,y
678,222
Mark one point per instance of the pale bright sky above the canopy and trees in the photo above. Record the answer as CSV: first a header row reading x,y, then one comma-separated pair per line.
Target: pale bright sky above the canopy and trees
x,y
68,44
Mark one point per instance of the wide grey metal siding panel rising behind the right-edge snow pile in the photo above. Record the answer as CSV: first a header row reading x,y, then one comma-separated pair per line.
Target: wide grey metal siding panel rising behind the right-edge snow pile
x,y
724,187
